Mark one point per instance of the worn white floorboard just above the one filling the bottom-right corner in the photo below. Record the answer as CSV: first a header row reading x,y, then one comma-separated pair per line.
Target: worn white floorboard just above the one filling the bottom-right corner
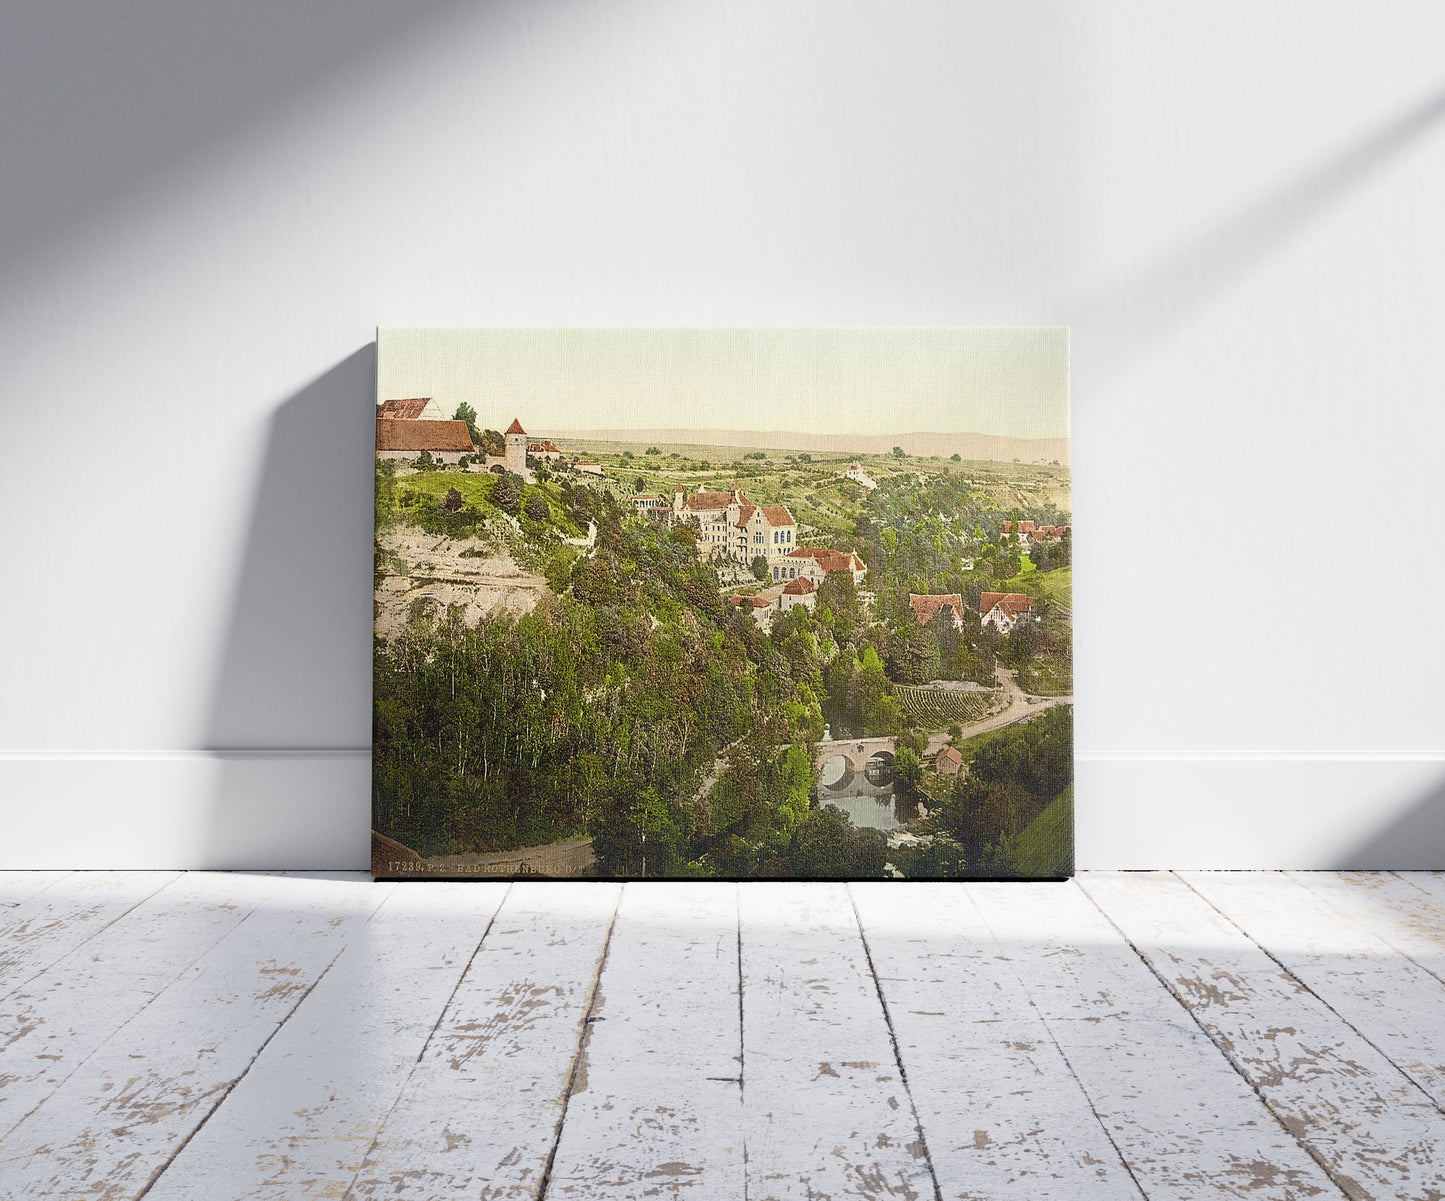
x,y
1391,1001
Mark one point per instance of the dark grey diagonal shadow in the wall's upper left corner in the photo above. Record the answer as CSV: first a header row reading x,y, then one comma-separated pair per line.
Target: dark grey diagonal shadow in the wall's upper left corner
x,y
119,96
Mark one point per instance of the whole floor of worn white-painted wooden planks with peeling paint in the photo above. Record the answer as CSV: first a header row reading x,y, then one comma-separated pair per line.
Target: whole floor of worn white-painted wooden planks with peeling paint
x,y
1158,1036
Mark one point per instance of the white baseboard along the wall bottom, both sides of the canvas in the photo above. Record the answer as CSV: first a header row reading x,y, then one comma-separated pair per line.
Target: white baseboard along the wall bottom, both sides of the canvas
x,y
310,810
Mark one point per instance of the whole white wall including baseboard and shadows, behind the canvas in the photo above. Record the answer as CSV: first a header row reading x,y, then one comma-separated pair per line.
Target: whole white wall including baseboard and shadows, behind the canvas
x,y
207,207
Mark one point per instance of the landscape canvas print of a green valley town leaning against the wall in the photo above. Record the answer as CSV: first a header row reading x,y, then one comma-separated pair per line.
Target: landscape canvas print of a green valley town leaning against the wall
x,y
723,603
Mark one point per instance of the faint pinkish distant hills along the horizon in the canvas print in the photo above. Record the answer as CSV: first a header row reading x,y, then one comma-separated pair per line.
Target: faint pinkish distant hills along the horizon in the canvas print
x,y
966,446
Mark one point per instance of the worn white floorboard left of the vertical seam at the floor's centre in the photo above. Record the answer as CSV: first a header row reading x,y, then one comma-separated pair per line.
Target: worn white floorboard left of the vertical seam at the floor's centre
x,y
657,1105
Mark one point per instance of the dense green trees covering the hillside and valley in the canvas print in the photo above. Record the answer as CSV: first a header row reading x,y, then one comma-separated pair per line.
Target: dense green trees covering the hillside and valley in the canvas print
x,y
638,707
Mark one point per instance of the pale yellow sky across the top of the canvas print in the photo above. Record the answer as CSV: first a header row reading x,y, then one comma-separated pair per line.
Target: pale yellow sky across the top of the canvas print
x,y
1006,381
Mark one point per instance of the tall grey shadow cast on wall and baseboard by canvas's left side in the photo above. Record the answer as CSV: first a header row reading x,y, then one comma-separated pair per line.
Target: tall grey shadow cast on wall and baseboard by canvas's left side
x,y
291,712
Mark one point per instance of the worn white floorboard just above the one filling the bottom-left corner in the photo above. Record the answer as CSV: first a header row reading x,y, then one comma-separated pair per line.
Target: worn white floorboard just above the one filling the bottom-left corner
x,y
56,1021
